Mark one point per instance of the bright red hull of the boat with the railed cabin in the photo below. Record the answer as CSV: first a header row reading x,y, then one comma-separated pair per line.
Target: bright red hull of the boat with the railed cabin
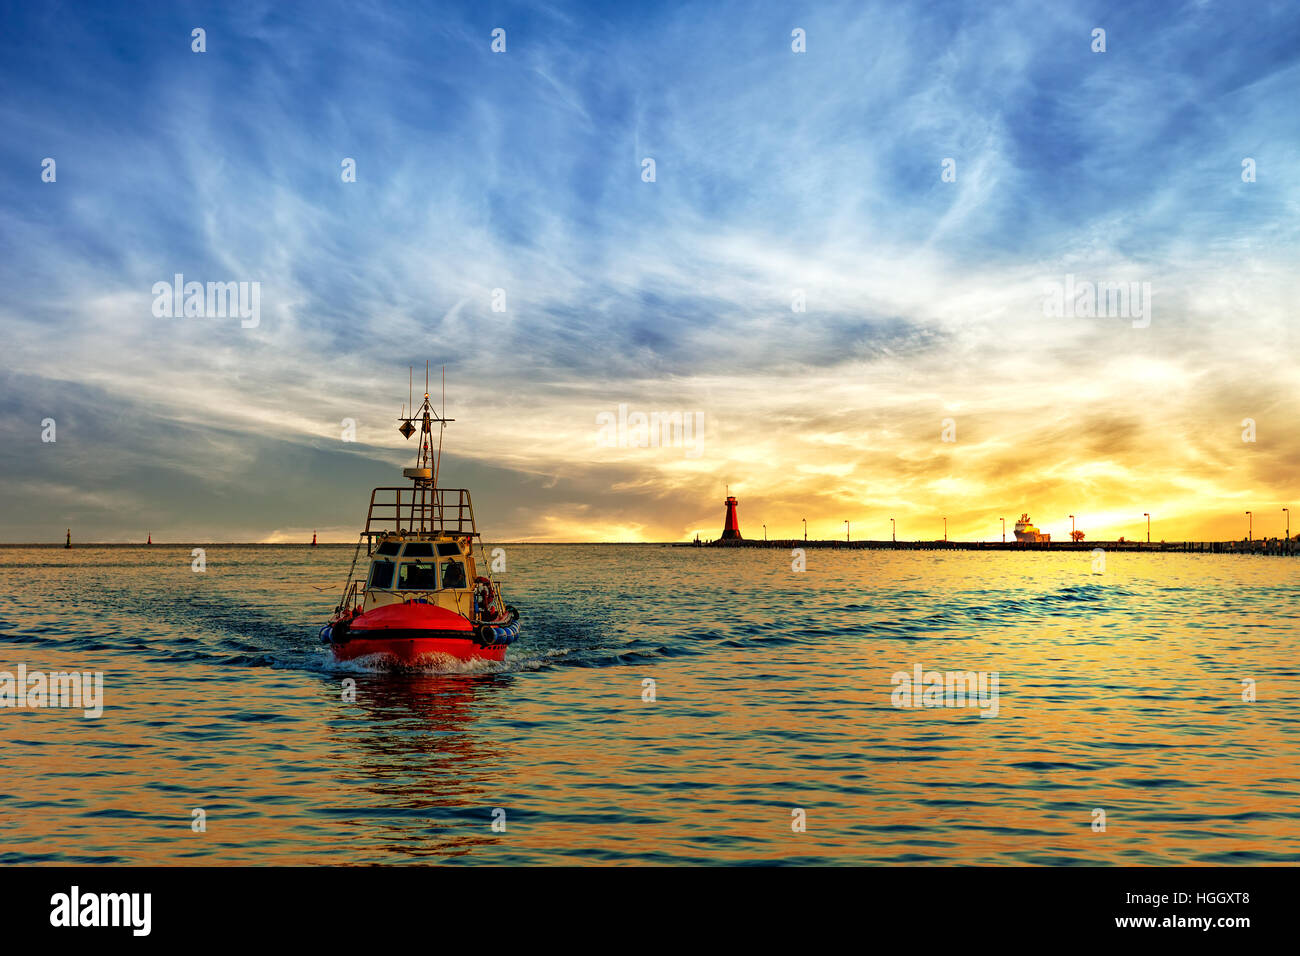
x,y
413,634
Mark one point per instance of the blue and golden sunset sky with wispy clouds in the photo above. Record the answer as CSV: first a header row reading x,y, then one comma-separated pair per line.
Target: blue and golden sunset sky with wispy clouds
x,y
843,266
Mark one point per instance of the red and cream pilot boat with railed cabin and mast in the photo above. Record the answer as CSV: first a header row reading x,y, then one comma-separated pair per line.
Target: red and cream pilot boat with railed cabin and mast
x,y
424,598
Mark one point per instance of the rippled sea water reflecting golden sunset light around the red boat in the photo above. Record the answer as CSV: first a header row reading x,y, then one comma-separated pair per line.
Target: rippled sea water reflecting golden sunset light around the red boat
x,y
1121,693
